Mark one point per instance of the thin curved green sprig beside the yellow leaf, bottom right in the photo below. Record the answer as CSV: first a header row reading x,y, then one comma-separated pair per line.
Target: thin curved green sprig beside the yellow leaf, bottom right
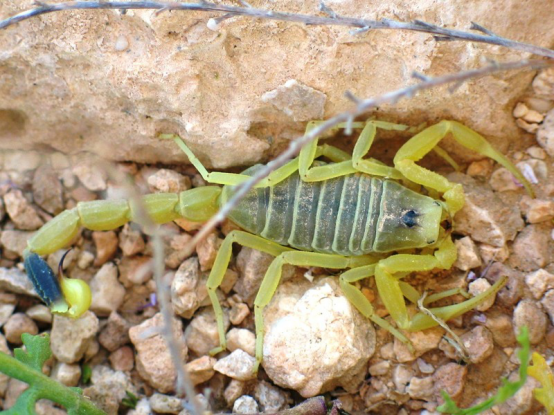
x,y
506,391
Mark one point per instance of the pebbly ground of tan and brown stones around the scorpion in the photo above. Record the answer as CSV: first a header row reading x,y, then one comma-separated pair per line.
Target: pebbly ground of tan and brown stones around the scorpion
x,y
315,342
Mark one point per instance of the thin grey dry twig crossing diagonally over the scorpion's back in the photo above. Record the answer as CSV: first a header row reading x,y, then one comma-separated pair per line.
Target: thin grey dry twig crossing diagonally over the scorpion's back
x,y
361,107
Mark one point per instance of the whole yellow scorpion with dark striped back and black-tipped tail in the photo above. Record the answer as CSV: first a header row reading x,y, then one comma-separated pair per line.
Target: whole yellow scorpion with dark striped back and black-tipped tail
x,y
351,213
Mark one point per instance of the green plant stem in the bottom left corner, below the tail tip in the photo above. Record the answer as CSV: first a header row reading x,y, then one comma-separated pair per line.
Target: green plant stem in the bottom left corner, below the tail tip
x,y
45,387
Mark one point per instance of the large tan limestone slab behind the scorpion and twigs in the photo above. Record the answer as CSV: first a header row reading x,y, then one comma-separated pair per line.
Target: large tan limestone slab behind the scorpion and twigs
x,y
107,82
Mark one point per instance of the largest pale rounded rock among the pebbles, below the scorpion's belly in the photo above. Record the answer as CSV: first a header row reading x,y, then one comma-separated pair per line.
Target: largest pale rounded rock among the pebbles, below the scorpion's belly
x,y
315,339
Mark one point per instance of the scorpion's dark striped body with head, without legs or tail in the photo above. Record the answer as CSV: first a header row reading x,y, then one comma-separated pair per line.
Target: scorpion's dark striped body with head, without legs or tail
x,y
350,215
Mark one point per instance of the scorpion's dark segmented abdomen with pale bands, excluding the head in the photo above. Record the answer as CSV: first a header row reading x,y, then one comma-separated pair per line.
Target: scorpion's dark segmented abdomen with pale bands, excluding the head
x,y
336,216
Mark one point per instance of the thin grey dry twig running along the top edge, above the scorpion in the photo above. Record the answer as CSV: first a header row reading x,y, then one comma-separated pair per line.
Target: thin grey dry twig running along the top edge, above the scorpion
x,y
331,19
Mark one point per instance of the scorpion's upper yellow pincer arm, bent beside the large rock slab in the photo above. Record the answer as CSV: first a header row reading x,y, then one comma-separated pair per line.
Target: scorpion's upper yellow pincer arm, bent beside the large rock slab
x,y
420,144
